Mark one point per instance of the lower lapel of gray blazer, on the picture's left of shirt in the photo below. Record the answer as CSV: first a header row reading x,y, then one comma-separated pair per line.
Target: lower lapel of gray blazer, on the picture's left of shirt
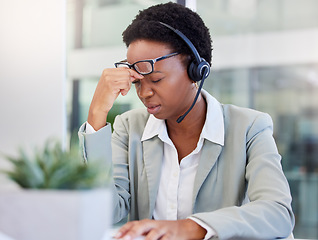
x,y
153,155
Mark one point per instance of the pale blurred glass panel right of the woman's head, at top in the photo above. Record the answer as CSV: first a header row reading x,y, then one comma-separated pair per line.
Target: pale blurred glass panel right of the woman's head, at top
x,y
232,17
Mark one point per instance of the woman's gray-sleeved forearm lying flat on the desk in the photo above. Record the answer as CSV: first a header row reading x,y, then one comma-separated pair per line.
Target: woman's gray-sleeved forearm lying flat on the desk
x,y
265,219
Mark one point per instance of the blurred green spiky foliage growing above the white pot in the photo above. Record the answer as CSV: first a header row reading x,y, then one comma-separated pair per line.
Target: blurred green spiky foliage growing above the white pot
x,y
54,168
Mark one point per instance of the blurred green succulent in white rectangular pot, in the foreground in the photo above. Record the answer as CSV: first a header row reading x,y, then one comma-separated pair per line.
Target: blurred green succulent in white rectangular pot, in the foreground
x,y
60,197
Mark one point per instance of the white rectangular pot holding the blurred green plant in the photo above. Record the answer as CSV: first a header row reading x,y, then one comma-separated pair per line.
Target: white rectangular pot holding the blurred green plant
x,y
55,214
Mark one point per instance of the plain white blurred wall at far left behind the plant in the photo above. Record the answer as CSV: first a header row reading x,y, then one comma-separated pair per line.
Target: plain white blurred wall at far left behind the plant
x,y
32,75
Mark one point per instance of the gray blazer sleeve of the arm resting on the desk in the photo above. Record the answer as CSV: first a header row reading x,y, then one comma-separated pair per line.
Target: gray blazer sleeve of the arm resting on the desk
x,y
268,213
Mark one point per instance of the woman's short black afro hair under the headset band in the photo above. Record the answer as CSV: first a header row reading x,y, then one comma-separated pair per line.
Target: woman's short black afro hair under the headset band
x,y
146,26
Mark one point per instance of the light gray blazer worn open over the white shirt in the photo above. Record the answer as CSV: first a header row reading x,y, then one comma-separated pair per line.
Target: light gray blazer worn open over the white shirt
x,y
240,189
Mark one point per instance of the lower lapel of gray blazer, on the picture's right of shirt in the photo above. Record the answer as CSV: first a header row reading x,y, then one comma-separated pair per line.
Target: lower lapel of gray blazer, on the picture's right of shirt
x,y
209,156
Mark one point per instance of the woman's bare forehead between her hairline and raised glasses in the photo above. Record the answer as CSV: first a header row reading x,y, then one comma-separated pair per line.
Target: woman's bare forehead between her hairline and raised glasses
x,y
146,49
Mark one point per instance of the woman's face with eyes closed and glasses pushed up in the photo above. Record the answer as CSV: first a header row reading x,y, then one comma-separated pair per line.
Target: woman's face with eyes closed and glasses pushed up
x,y
167,92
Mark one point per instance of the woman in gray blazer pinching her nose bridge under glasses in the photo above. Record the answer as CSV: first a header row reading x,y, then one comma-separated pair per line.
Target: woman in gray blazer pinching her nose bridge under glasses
x,y
215,173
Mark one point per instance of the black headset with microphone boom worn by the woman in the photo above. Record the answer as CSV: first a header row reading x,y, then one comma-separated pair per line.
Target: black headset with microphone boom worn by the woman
x,y
198,69
